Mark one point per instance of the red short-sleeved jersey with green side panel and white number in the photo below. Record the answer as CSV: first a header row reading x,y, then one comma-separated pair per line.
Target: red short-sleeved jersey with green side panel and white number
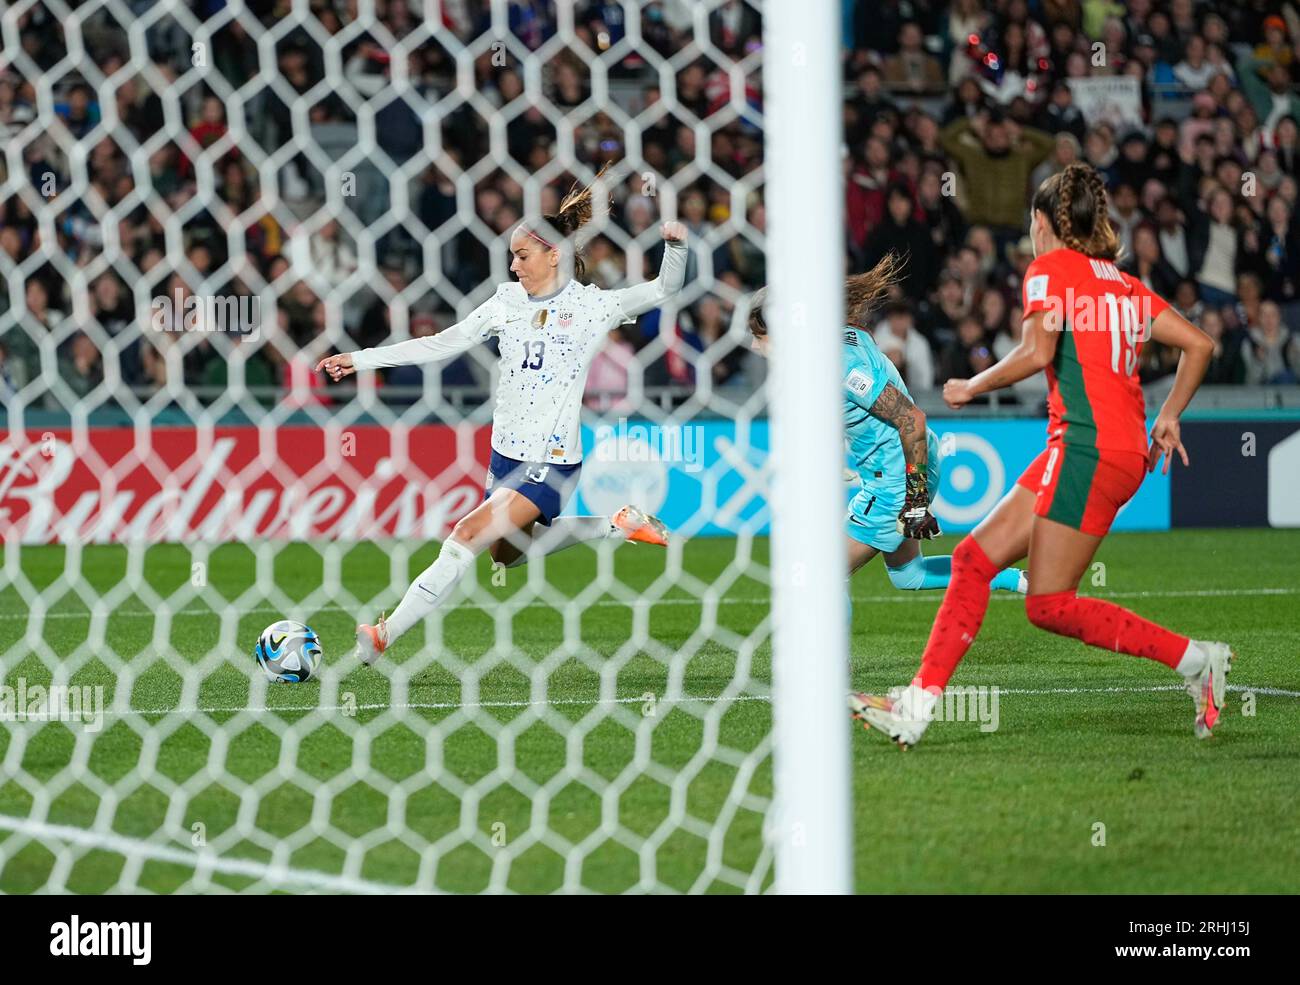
x,y
1094,394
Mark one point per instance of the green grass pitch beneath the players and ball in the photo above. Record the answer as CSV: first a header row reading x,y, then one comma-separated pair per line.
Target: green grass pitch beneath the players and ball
x,y
1085,739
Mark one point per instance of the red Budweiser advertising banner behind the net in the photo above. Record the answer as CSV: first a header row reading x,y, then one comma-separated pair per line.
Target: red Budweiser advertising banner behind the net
x,y
211,485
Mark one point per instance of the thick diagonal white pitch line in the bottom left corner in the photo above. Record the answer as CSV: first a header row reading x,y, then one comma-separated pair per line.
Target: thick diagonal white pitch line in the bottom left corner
x,y
136,848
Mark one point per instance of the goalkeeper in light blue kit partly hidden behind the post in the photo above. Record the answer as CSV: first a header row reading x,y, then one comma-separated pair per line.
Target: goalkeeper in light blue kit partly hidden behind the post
x,y
892,450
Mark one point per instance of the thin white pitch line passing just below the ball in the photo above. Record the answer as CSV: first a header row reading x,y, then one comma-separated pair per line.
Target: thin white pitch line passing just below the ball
x,y
639,700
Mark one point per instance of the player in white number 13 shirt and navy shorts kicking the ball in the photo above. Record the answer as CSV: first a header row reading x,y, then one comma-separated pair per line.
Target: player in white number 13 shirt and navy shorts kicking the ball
x,y
549,327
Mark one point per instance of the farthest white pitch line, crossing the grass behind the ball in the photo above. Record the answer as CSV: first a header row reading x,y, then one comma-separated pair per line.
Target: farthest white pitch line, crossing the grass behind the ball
x,y
900,597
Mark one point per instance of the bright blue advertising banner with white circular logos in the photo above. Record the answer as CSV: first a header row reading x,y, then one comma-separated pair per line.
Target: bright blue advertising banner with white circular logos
x,y
713,478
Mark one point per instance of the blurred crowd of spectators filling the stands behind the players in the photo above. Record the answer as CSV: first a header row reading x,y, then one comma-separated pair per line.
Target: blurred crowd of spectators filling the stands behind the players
x,y
952,115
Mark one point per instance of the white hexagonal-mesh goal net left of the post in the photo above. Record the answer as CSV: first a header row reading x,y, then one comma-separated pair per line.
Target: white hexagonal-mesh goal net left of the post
x,y
202,201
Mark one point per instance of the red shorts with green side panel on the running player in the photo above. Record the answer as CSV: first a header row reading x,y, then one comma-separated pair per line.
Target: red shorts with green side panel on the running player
x,y
1082,487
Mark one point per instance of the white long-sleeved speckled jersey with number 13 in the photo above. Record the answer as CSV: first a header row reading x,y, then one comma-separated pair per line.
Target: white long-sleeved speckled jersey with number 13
x,y
547,348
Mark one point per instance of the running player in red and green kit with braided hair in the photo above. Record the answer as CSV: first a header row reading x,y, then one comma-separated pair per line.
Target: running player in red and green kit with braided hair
x,y
1085,323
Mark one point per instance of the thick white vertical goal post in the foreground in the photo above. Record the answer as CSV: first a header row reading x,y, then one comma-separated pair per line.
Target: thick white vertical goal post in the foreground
x,y
811,826
